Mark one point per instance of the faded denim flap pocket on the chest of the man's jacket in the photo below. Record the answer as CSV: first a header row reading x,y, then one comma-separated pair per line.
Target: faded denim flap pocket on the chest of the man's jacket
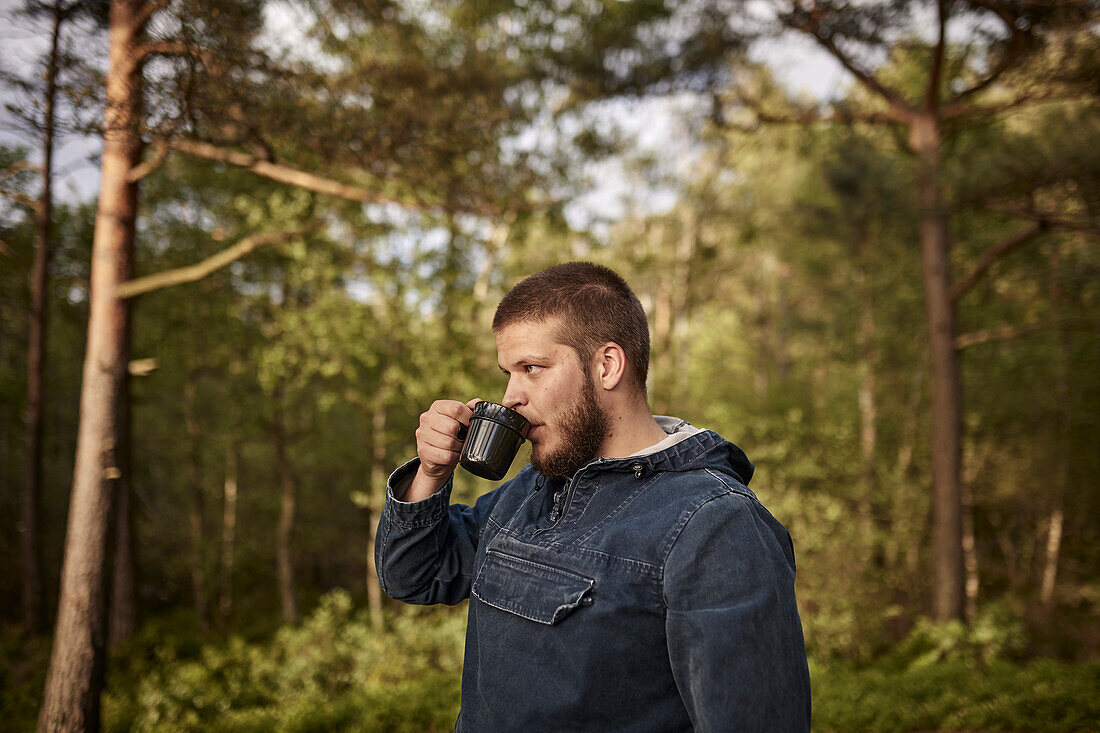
x,y
531,589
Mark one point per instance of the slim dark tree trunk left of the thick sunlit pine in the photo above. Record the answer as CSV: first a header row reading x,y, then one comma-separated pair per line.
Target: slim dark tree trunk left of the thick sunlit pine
x,y
30,505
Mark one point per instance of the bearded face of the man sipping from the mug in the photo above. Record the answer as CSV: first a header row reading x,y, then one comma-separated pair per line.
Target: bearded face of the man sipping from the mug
x,y
549,387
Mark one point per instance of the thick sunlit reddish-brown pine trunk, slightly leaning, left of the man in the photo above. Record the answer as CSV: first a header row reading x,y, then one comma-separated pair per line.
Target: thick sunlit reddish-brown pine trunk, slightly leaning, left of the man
x,y
78,663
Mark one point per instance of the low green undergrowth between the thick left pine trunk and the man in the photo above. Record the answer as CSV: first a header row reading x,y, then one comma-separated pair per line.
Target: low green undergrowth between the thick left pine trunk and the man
x,y
333,673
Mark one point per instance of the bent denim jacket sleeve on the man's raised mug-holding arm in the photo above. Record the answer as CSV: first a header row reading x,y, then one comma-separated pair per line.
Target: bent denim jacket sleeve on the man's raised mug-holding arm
x,y
425,551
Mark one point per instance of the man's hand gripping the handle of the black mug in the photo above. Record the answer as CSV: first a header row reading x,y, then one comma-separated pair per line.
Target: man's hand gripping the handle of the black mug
x,y
438,446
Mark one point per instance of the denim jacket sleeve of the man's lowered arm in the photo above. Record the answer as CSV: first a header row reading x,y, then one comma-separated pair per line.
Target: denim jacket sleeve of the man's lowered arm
x,y
734,634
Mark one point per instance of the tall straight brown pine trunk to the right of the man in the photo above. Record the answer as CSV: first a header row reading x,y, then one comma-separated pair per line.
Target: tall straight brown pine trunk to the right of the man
x,y
947,393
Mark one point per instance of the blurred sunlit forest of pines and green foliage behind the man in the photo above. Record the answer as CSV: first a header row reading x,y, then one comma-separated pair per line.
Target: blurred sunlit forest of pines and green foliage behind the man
x,y
306,213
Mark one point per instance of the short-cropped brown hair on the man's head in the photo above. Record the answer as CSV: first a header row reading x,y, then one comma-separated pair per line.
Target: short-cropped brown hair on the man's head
x,y
595,305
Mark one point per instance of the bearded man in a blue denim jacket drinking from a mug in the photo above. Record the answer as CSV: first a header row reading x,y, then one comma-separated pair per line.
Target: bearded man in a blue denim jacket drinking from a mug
x,y
626,579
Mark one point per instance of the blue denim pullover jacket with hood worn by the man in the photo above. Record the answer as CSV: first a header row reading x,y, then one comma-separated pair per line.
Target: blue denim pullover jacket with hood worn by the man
x,y
646,594
